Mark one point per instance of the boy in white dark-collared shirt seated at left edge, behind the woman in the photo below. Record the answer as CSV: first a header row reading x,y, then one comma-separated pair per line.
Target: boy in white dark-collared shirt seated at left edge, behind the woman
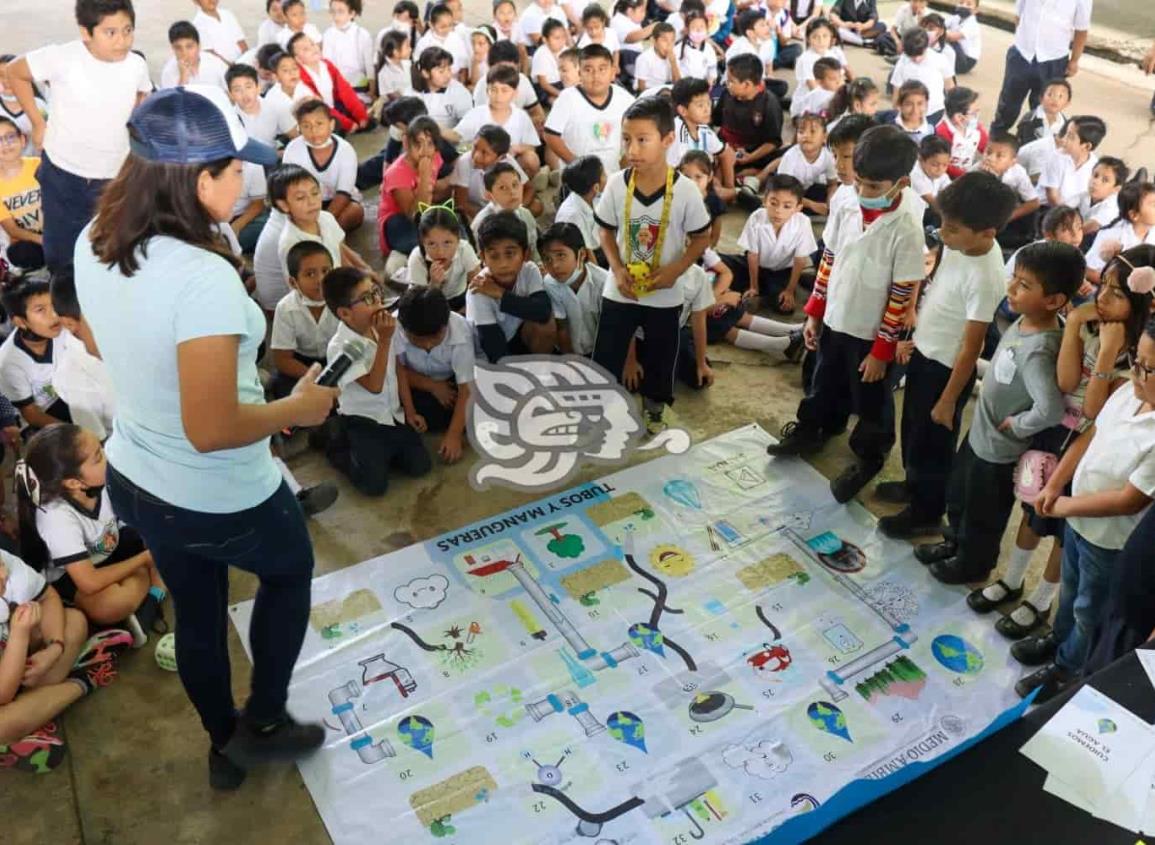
x,y
27,358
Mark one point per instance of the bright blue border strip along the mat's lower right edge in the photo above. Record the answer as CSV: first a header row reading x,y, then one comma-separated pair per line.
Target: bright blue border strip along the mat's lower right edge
x,y
859,794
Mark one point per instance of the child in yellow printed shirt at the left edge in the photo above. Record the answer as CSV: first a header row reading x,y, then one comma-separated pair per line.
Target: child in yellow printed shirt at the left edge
x,y
20,200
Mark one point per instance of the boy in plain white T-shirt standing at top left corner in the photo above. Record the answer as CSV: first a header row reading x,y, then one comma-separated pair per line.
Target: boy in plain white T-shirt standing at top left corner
x,y
96,83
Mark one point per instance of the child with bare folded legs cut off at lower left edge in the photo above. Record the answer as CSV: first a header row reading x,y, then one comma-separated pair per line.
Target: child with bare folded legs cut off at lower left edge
x,y
46,667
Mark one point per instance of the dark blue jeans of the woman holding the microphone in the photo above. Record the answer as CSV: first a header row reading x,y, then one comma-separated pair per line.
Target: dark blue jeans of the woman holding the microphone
x,y
193,552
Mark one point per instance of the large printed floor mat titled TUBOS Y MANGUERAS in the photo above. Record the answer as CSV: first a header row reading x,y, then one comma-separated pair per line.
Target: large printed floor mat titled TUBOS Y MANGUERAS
x,y
698,649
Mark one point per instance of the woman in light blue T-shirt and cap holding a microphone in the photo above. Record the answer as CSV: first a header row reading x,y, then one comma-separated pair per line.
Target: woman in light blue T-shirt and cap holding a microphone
x,y
189,461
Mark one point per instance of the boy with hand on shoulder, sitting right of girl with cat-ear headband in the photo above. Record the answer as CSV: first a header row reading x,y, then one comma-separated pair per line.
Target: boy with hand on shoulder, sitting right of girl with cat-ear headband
x,y
508,304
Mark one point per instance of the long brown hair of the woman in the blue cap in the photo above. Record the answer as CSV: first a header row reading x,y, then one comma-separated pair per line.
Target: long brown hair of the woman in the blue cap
x,y
150,200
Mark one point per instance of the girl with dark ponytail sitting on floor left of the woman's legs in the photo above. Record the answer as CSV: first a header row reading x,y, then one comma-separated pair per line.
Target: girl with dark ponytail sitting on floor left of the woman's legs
x,y
70,533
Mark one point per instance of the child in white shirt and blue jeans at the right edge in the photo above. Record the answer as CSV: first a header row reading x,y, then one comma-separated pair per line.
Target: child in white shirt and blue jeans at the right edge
x,y
1111,472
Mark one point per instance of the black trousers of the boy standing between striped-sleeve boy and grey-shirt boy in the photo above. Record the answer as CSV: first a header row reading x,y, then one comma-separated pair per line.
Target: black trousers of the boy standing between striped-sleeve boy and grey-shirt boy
x,y
928,448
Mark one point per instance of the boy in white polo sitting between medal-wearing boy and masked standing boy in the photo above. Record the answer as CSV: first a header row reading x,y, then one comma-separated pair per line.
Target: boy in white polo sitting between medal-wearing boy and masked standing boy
x,y
779,242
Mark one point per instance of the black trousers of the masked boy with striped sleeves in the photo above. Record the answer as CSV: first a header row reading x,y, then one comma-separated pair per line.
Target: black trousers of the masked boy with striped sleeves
x,y
838,391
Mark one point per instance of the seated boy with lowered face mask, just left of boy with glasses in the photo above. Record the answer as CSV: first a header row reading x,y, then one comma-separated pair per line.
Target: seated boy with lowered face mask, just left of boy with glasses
x,y
302,324
